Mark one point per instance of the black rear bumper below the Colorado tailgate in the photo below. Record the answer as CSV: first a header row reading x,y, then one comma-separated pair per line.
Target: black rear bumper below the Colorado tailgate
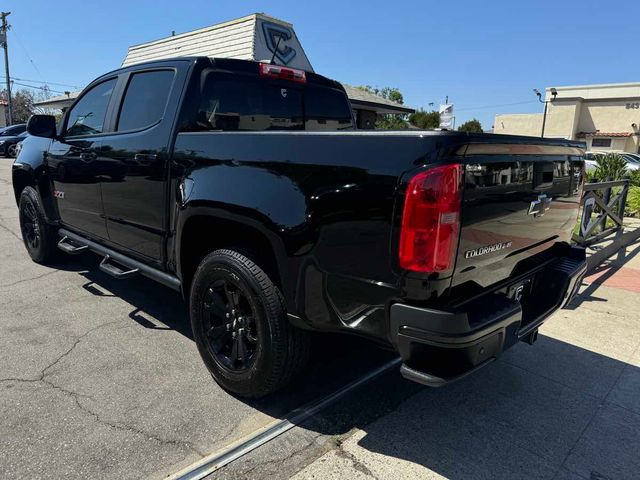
x,y
441,346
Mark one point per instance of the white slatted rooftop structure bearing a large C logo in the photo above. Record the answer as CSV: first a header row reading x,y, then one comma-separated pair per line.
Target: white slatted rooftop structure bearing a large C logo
x,y
254,37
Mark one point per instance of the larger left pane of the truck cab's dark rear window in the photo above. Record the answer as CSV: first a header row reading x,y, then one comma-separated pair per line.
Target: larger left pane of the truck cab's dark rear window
x,y
248,105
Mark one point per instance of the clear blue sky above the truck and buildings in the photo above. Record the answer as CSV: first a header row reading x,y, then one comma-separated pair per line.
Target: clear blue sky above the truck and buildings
x,y
487,57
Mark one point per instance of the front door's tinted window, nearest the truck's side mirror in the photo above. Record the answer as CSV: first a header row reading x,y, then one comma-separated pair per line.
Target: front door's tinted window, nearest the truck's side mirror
x,y
87,116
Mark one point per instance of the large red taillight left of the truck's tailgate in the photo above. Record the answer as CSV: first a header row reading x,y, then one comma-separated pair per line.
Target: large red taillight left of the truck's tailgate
x,y
431,220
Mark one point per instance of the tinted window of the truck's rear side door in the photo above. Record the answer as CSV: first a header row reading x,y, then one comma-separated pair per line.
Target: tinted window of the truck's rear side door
x,y
145,99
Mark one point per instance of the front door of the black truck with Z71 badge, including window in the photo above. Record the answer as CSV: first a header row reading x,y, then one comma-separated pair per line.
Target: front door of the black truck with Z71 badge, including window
x,y
73,162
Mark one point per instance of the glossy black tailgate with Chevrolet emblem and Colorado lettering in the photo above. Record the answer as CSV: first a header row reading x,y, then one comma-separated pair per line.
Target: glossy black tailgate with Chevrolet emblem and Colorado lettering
x,y
518,200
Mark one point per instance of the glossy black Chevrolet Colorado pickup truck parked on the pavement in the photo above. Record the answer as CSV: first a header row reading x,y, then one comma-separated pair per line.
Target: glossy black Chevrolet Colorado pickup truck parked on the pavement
x,y
245,186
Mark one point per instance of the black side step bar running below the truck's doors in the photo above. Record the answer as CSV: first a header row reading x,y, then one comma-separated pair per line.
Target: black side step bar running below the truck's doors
x,y
73,243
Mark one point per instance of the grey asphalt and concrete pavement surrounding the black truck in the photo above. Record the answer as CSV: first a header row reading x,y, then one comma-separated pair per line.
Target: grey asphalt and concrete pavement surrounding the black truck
x,y
100,379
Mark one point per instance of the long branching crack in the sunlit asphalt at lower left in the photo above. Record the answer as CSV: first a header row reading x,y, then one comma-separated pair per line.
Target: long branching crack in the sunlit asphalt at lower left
x,y
76,396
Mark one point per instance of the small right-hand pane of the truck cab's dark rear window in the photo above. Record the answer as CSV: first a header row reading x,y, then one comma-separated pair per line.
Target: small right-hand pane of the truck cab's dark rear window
x,y
326,109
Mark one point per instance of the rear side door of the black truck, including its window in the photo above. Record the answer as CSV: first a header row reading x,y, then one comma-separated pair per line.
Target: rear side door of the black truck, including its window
x,y
134,191
